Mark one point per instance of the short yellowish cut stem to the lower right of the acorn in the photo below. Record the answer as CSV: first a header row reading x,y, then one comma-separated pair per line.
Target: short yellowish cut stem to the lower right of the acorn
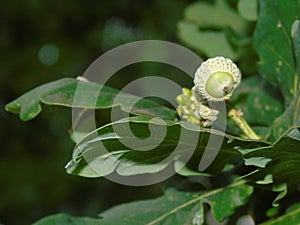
x,y
237,117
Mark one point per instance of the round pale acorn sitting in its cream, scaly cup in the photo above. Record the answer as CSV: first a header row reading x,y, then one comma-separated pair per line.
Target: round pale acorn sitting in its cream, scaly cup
x,y
216,79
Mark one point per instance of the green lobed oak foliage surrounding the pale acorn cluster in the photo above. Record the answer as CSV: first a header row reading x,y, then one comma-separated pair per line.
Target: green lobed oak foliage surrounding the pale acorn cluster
x,y
243,168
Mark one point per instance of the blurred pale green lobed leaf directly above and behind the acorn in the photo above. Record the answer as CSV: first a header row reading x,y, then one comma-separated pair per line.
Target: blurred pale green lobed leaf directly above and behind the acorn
x,y
199,17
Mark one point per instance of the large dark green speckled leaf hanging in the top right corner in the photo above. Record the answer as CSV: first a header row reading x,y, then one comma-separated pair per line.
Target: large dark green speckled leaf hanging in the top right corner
x,y
274,45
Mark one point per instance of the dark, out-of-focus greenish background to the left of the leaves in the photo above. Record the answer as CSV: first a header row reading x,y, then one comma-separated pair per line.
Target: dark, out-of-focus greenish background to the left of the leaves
x,y
41,41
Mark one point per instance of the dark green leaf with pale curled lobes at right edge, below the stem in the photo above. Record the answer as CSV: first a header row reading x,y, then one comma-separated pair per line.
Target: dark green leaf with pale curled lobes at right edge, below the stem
x,y
282,159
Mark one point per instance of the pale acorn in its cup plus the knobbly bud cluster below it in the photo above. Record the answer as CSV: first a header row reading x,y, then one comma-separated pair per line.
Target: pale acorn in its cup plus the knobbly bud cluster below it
x,y
215,80
